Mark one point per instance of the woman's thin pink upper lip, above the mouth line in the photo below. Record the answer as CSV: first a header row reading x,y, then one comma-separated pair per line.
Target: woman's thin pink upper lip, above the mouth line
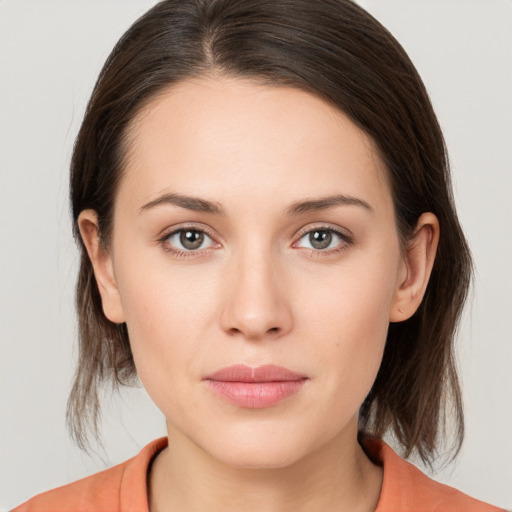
x,y
265,373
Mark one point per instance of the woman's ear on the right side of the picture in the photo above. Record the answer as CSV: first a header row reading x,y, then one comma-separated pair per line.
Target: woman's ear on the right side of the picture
x,y
415,268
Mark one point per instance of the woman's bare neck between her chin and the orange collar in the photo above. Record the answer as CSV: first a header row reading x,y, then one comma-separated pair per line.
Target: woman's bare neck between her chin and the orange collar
x,y
337,476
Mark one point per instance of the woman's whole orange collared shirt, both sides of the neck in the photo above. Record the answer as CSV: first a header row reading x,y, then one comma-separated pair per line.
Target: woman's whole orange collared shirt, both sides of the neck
x,y
123,488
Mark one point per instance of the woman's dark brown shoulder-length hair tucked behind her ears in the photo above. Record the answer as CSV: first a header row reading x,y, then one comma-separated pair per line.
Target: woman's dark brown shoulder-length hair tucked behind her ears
x,y
337,51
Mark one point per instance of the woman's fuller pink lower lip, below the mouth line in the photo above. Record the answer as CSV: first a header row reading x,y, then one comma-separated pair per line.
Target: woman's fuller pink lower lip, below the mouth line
x,y
256,395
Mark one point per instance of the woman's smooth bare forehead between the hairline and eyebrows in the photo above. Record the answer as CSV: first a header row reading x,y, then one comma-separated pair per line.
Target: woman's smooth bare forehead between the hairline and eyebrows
x,y
226,135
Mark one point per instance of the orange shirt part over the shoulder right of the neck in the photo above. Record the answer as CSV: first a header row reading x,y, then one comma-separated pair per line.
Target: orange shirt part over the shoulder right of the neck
x,y
405,488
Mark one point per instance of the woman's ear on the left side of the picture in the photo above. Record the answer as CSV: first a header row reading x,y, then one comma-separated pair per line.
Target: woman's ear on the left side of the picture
x,y
101,260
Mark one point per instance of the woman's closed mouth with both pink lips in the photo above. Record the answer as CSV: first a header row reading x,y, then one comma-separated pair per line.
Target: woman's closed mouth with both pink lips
x,y
255,388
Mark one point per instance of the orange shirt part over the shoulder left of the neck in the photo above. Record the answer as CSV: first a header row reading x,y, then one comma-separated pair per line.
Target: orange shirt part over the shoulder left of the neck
x,y
120,488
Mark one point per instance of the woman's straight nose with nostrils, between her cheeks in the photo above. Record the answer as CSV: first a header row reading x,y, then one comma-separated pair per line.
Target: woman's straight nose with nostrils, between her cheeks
x,y
255,301
